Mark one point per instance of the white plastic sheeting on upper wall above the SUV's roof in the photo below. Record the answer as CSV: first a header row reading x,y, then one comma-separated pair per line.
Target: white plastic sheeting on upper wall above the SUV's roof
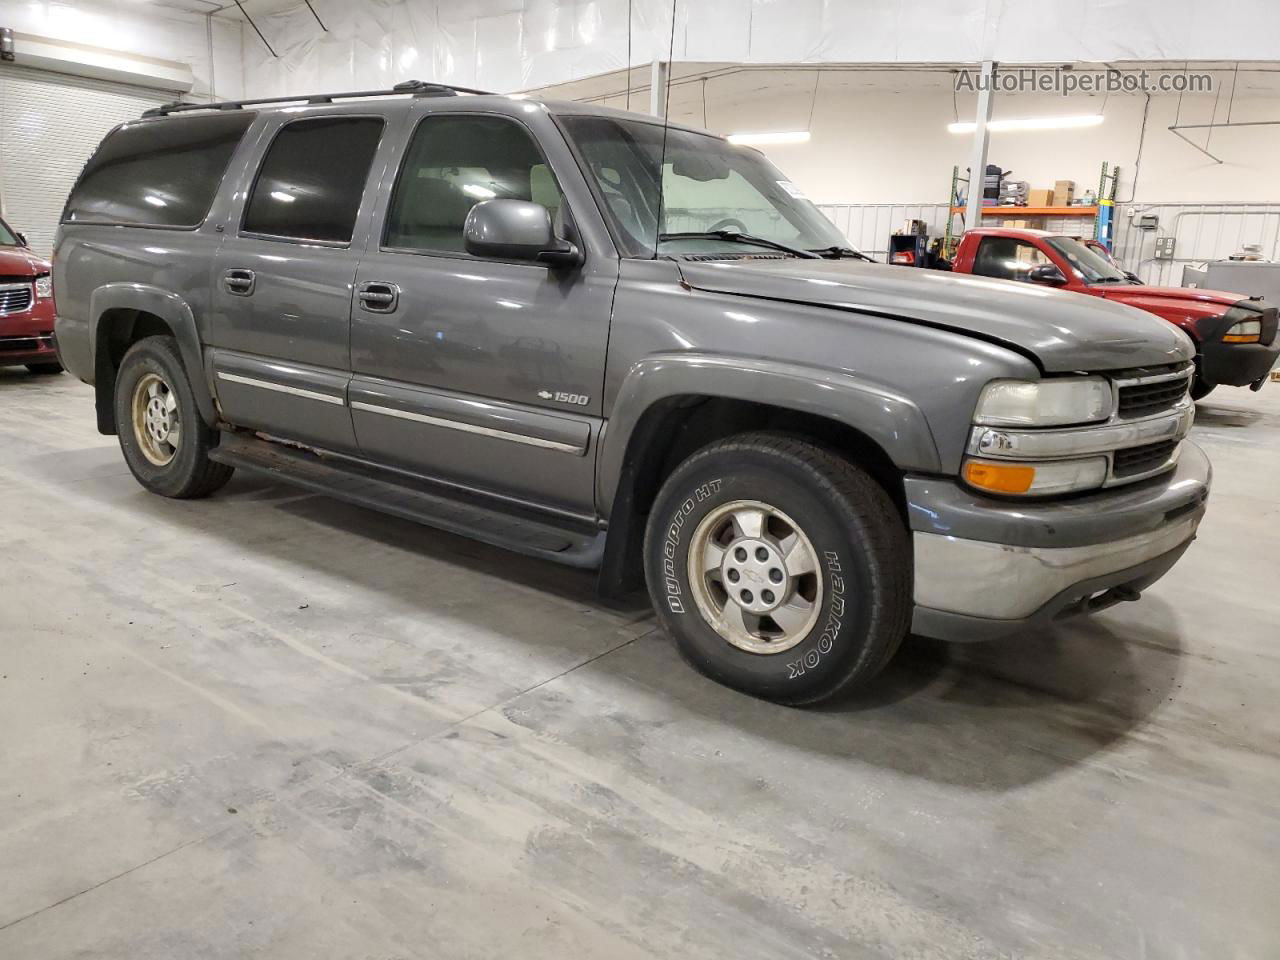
x,y
510,45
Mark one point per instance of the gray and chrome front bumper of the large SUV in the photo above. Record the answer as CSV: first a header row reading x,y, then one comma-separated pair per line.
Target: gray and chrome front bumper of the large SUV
x,y
986,568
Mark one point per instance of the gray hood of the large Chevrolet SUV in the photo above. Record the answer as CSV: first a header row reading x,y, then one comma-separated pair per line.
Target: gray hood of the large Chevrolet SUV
x,y
1063,331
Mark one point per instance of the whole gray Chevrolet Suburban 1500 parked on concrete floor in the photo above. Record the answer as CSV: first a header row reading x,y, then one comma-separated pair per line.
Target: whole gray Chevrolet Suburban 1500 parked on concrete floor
x,y
586,336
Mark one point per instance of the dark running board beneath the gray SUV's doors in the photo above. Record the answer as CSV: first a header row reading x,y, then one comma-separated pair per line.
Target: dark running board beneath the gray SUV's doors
x,y
355,483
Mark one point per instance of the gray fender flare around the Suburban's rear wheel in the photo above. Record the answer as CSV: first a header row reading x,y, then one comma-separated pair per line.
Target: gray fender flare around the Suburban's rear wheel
x,y
124,314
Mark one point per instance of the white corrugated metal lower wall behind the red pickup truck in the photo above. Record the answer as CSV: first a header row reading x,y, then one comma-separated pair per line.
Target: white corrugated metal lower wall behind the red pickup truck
x,y
1201,231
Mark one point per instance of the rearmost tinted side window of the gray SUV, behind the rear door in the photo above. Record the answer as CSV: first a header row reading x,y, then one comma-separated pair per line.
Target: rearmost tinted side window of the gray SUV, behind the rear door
x,y
161,173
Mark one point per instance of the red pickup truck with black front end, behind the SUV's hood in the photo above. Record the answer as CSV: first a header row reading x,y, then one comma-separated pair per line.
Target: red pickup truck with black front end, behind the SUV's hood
x,y
1236,336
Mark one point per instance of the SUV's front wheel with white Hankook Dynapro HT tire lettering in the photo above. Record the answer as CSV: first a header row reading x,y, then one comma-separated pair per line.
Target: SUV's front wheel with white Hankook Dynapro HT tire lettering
x,y
780,569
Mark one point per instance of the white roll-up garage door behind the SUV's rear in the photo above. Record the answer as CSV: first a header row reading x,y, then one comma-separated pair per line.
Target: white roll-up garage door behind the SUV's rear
x,y
49,126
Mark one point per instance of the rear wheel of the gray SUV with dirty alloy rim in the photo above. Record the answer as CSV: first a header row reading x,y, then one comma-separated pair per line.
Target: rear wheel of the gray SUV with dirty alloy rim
x,y
163,438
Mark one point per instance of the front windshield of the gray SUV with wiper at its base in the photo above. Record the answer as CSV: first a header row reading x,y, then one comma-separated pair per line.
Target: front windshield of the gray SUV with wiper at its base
x,y
707,185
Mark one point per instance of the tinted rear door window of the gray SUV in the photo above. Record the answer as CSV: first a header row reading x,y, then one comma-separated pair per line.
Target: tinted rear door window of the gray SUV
x,y
313,179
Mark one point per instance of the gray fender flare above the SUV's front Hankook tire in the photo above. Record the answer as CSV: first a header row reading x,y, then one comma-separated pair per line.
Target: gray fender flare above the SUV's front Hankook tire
x,y
888,418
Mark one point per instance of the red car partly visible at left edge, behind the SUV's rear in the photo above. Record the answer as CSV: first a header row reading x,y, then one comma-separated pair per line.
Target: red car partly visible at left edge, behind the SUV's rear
x,y
26,308
